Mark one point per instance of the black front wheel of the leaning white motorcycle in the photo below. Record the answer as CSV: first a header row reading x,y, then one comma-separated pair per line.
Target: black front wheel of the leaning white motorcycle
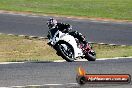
x,y
66,51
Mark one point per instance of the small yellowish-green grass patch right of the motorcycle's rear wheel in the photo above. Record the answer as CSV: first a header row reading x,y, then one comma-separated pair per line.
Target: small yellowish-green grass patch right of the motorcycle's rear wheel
x,y
107,51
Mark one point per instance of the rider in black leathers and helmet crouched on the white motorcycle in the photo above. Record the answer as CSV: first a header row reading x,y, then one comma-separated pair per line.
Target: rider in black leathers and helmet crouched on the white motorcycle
x,y
66,28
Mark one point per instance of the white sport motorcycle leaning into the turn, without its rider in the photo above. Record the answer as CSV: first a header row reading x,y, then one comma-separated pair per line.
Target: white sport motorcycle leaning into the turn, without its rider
x,y
68,47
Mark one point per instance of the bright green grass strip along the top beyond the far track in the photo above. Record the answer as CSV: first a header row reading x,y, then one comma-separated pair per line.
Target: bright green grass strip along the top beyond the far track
x,y
115,9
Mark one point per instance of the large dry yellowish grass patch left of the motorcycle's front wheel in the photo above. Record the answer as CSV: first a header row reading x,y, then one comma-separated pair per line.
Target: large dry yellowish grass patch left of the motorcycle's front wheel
x,y
13,48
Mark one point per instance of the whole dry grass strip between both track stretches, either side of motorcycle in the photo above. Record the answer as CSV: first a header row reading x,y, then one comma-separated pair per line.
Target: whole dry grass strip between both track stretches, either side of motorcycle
x,y
14,48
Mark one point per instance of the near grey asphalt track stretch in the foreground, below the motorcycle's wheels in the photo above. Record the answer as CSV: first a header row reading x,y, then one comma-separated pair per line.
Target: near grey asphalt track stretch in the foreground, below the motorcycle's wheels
x,y
40,73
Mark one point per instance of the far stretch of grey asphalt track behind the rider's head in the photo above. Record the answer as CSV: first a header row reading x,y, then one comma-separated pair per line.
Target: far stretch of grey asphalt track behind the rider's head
x,y
95,31
